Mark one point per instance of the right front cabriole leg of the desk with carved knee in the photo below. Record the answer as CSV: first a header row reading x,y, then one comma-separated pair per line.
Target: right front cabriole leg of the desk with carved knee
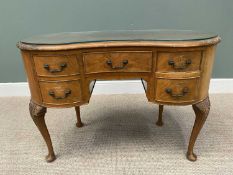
x,y
201,111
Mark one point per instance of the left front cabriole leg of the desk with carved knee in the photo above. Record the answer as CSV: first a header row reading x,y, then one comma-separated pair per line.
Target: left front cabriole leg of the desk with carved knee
x,y
38,113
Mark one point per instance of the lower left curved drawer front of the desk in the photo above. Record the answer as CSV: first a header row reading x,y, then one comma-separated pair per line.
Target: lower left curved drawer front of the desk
x,y
61,92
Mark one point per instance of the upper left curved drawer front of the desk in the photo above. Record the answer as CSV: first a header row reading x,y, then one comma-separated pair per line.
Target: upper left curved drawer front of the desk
x,y
56,65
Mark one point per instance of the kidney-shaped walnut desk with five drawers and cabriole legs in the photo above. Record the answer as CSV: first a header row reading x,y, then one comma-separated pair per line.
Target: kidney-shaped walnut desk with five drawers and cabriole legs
x,y
174,66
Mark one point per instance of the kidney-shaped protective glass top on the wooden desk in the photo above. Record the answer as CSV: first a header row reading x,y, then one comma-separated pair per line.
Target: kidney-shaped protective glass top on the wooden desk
x,y
118,35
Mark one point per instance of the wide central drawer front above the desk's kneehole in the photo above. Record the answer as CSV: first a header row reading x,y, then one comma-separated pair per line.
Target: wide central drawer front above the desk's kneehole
x,y
118,61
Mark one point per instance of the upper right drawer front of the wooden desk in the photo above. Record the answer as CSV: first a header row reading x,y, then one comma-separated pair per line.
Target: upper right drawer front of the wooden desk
x,y
179,61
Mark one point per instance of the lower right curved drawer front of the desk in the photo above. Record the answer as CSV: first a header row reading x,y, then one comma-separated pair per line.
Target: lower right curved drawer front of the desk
x,y
177,91
